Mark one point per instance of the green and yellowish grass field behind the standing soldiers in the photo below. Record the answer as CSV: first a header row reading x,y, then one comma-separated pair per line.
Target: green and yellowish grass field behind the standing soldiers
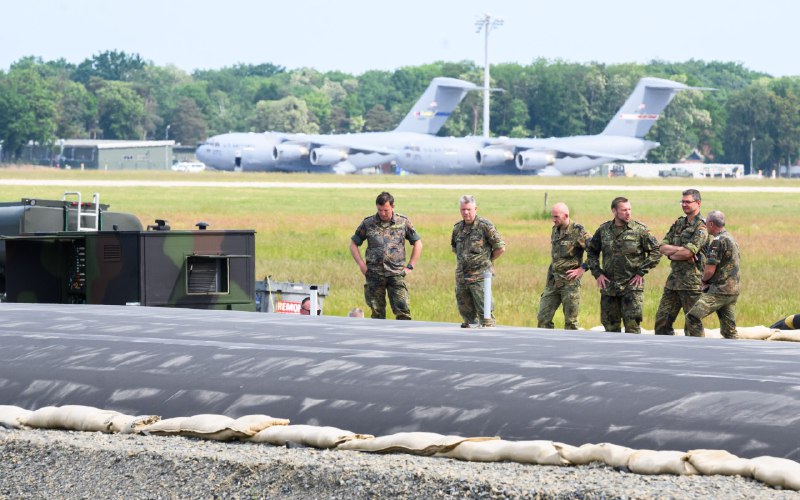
x,y
303,233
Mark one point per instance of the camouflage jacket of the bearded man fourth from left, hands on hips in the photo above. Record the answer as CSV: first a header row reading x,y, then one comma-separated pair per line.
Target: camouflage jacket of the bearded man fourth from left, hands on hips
x,y
626,252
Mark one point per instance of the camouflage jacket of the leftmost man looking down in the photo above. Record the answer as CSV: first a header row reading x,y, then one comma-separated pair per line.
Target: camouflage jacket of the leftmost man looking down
x,y
386,250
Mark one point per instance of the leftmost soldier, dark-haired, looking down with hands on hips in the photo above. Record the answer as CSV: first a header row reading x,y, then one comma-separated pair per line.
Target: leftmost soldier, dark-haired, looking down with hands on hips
x,y
385,267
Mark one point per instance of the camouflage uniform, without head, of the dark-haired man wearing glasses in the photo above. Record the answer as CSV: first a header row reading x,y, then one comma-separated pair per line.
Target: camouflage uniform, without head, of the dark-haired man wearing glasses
x,y
683,283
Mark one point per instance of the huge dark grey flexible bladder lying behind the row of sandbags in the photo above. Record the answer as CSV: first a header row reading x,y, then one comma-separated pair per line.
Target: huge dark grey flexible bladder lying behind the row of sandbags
x,y
381,377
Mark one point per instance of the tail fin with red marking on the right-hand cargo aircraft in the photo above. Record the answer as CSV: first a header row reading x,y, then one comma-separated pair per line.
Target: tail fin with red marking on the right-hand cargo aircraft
x,y
639,113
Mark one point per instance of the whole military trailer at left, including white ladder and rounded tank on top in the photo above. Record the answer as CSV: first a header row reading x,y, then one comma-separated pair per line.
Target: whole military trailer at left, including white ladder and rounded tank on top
x,y
71,252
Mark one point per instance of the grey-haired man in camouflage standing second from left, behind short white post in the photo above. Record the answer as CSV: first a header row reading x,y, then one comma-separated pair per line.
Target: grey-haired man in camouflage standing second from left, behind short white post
x,y
477,244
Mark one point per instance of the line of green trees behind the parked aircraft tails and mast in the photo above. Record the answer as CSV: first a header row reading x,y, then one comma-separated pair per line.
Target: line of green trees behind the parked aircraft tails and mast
x,y
115,95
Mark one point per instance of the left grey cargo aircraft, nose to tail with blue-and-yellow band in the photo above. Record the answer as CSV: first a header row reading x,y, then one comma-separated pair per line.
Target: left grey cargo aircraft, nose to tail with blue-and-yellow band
x,y
339,153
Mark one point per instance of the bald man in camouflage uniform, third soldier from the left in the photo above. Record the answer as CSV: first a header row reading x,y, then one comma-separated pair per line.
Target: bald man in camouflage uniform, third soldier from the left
x,y
568,241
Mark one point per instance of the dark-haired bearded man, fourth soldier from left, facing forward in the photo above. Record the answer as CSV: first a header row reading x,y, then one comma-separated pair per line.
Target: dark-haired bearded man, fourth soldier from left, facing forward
x,y
629,251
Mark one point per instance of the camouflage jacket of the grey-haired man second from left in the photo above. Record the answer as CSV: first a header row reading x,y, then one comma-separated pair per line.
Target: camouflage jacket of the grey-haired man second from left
x,y
473,245
